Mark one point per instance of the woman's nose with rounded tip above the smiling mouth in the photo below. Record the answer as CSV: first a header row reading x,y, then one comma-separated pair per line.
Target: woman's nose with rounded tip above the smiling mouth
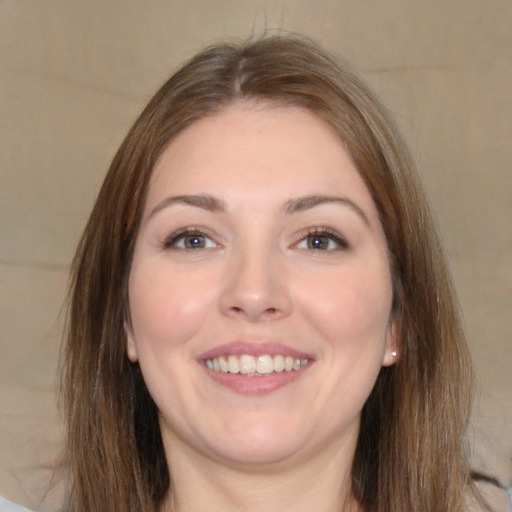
x,y
256,288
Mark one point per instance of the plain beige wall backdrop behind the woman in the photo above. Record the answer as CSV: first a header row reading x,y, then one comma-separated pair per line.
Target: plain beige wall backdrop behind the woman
x,y
74,74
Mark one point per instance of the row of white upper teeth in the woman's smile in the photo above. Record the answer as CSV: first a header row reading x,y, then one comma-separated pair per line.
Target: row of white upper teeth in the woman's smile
x,y
255,366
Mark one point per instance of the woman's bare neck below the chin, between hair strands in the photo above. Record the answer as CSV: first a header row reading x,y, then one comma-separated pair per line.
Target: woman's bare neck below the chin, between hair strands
x,y
323,484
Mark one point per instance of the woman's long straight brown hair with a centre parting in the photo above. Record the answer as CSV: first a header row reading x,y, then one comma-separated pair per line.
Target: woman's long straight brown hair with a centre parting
x,y
410,454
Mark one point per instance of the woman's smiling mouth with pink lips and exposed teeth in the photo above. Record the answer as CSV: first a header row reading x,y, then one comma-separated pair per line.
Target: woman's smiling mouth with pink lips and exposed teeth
x,y
254,368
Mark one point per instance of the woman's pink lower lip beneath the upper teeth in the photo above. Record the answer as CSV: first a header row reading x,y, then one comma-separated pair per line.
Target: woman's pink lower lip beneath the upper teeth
x,y
259,385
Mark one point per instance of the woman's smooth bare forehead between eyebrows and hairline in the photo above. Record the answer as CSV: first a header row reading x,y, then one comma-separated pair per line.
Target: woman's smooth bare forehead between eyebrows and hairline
x,y
276,151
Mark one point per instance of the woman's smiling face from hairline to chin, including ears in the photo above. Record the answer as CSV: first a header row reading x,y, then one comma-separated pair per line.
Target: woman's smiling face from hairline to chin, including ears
x,y
260,290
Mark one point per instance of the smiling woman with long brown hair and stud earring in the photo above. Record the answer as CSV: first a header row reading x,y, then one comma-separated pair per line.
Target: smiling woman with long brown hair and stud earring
x,y
261,315
